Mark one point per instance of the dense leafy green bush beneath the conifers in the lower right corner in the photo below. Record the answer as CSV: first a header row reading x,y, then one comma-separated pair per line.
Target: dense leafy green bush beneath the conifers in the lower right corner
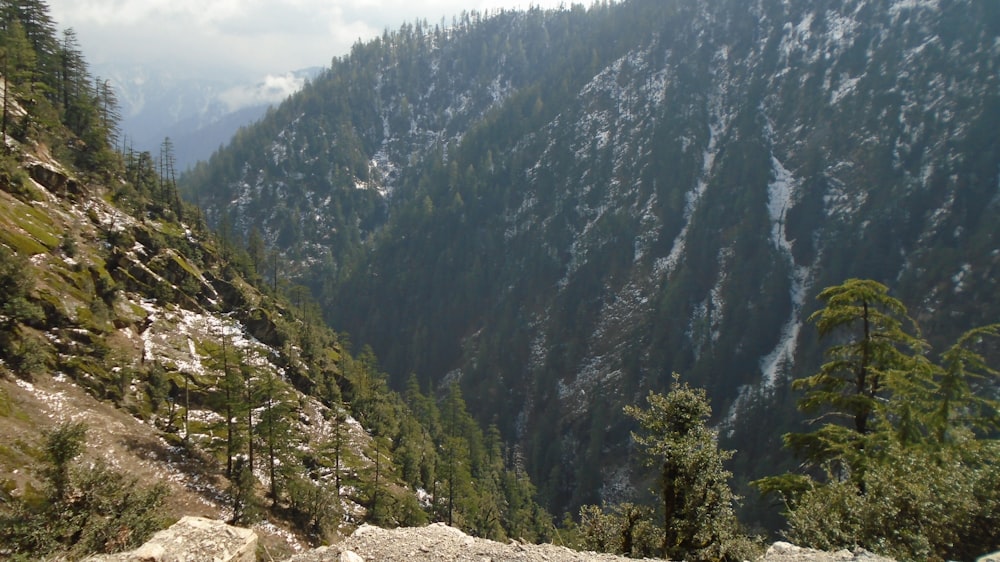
x,y
917,505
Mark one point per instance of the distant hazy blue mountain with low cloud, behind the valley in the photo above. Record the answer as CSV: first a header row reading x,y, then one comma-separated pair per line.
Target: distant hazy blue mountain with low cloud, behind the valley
x,y
198,115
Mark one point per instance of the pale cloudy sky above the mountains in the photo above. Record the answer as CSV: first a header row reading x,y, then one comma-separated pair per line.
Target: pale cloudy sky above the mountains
x,y
249,37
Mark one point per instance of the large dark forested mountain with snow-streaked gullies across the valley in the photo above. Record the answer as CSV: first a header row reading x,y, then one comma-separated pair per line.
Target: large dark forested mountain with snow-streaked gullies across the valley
x,y
560,208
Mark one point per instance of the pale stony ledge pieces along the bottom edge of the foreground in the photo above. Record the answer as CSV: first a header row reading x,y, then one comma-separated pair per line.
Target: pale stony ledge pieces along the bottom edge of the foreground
x,y
194,538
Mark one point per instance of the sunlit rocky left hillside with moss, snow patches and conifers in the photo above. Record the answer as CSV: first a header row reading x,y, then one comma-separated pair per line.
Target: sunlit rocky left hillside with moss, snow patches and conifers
x,y
148,370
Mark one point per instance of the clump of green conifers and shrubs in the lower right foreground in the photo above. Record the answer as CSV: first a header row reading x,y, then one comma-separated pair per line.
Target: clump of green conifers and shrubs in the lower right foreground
x,y
912,475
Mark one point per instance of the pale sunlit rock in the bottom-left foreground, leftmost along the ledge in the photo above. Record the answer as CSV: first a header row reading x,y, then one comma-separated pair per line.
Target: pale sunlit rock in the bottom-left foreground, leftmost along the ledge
x,y
193,538
